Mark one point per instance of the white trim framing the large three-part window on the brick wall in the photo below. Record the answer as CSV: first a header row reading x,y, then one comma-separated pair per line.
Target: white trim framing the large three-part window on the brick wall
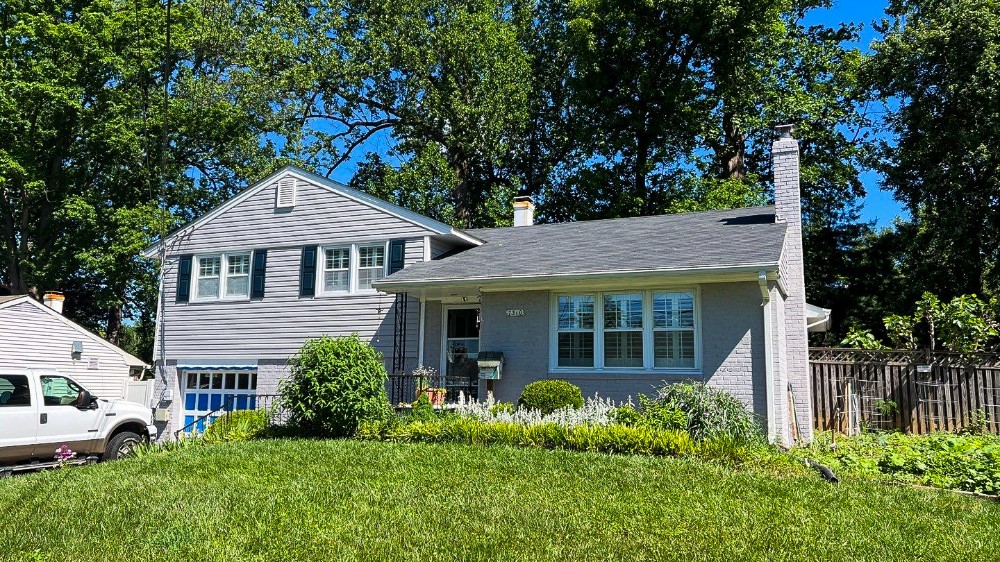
x,y
647,335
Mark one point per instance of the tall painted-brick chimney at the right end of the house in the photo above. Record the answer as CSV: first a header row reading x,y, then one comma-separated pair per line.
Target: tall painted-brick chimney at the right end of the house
x,y
788,210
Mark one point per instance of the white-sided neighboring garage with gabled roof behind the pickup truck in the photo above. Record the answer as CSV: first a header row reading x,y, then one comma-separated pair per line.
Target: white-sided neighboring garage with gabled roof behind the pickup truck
x,y
36,336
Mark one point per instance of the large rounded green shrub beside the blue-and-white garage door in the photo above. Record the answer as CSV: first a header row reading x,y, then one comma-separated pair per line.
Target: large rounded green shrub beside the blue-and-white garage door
x,y
335,384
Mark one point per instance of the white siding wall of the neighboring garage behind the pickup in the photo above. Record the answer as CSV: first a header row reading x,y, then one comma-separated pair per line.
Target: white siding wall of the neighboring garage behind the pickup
x,y
31,338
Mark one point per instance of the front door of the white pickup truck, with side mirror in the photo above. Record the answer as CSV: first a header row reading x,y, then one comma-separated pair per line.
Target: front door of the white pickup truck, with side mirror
x,y
63,420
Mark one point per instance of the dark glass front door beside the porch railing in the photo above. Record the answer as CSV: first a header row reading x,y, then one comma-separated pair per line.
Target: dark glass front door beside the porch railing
x,y
461,350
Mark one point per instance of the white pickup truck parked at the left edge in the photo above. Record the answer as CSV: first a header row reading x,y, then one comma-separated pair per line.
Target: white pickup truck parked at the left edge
x,y
42,410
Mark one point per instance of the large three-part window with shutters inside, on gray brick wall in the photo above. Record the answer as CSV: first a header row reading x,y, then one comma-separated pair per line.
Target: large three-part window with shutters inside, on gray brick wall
x,y
630,330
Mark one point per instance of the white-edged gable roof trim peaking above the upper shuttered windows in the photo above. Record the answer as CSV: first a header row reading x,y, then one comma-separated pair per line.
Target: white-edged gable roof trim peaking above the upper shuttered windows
x,y
437,227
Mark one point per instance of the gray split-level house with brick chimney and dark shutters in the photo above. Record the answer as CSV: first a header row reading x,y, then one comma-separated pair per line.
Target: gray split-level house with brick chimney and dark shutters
x,y
614,306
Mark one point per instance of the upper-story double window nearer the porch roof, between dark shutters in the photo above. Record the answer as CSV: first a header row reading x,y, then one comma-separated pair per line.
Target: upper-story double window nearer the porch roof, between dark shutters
x,y
351,268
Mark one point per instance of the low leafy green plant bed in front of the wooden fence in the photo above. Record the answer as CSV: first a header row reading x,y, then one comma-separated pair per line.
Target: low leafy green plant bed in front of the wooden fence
x,y
970,463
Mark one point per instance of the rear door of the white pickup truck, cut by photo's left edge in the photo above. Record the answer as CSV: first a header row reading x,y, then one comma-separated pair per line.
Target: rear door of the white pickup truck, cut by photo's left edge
x,y
18,418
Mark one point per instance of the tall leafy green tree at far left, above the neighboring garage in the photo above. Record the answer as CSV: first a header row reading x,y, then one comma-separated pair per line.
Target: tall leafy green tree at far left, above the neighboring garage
x,y
87,139
